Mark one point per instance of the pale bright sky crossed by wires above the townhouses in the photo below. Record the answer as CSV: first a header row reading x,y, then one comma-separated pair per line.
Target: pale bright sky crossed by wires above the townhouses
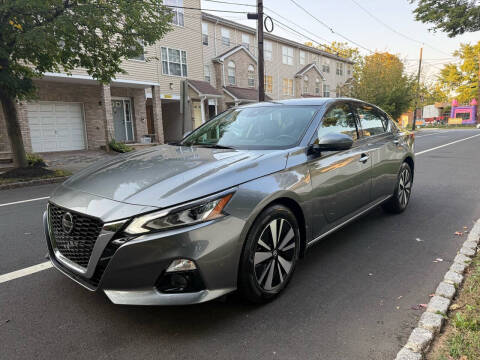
x,y
345,17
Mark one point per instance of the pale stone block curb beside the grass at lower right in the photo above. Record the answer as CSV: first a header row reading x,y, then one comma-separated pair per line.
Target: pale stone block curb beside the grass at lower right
x,y
432,319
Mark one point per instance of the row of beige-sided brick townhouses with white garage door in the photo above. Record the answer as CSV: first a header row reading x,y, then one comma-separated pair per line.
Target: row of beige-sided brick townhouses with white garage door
x,y
215,55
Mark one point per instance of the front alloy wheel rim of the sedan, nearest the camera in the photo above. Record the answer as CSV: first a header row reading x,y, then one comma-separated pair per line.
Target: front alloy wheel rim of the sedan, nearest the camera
x,y
274,254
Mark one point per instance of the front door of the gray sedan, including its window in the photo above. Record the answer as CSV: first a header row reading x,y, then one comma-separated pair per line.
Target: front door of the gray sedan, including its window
x,y
341,180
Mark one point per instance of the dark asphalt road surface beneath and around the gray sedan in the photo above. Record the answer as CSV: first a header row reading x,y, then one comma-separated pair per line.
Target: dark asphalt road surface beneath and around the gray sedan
x,y
350,298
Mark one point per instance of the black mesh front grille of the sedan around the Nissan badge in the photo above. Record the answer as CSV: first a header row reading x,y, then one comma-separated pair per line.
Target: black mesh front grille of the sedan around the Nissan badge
x,y
77,245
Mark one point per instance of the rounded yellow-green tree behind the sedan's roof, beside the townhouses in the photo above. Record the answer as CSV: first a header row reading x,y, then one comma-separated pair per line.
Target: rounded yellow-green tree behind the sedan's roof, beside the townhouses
x,y
381,80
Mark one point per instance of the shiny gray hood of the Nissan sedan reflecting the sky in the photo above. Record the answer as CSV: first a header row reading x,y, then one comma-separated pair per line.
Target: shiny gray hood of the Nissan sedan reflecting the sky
x,y
166,175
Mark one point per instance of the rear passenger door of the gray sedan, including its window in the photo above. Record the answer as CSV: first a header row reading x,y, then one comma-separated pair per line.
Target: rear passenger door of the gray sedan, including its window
x,y
381,144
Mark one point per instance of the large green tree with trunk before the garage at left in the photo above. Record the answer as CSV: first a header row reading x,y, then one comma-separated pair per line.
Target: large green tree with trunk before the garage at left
x,y
38,36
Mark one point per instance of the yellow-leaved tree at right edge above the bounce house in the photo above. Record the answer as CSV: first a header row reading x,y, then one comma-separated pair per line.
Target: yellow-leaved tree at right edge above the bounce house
x,y
460,79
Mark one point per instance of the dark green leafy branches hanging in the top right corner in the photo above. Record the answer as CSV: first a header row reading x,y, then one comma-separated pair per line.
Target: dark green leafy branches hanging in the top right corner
x,y
453,17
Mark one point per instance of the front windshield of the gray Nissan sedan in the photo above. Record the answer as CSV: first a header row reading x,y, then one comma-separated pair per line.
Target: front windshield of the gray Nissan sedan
x,y
263,127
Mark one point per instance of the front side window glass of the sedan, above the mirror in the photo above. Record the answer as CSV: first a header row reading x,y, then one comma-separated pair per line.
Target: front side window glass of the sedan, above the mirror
x,y
339,119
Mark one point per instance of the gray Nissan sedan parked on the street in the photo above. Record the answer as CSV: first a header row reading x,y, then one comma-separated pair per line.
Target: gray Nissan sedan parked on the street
x,y
233,206
